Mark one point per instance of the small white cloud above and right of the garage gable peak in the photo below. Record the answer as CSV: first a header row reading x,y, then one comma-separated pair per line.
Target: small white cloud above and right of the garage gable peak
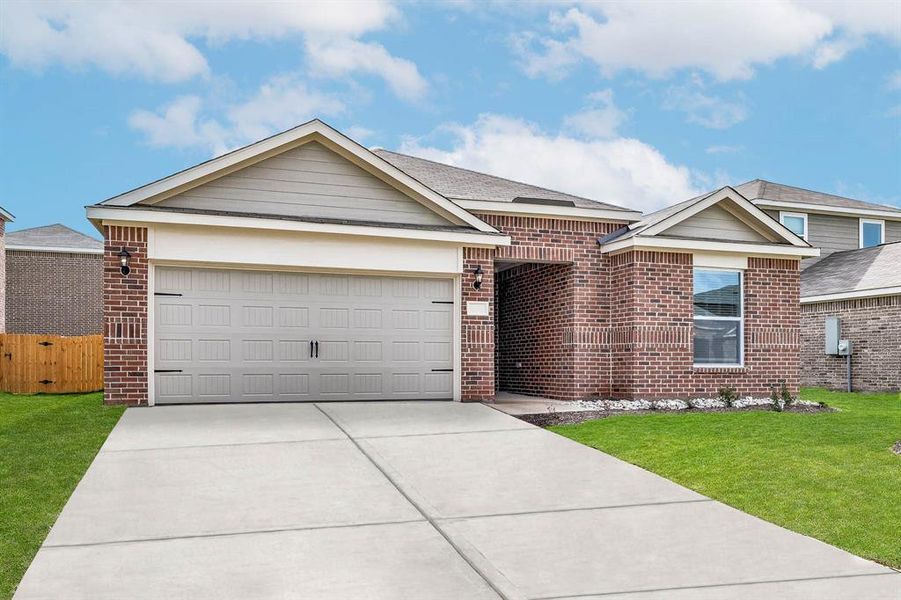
x,y
340,57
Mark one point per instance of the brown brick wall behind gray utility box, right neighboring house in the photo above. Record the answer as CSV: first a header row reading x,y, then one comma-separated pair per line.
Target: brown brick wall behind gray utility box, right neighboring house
x,y
874,327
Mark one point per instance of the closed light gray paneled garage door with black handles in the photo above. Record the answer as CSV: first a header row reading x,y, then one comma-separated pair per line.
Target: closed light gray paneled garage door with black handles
x,y
258,336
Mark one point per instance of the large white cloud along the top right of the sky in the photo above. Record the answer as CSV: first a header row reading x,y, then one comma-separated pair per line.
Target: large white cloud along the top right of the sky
x,y
726,39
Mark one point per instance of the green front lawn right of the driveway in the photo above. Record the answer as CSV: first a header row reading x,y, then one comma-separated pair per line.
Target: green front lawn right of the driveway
x,y
828,475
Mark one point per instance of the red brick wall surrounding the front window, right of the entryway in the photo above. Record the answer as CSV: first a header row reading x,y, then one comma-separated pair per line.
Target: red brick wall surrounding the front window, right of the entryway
x,y
651,328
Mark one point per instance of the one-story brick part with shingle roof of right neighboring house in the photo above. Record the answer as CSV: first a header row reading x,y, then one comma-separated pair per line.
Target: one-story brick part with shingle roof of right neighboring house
x,y
863,288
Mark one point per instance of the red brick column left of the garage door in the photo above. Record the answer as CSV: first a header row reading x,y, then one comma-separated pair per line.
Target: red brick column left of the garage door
x,y
125,317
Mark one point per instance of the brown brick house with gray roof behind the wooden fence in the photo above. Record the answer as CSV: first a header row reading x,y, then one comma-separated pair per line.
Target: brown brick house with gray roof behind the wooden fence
x,y
54,281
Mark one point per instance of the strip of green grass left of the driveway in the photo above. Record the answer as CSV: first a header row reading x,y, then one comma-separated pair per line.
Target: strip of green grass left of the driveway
x,y
46,445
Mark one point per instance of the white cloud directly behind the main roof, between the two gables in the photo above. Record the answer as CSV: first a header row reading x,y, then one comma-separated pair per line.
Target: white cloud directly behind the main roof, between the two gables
x,y
620,170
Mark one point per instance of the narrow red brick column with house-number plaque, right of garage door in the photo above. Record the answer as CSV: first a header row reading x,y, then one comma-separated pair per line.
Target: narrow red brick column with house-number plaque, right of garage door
x,y
478,332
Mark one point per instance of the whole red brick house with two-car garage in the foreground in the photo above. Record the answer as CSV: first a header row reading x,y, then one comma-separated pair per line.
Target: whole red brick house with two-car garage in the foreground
x,y
307,267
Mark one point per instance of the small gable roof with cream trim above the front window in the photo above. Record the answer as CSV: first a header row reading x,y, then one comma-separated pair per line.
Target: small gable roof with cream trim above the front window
x,y
655,225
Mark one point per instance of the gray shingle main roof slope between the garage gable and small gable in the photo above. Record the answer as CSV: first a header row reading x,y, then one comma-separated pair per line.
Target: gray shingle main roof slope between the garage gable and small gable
x,y
456,183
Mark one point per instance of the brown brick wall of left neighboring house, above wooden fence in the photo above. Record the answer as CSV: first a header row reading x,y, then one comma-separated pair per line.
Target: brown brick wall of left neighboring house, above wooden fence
x,y
54,293
